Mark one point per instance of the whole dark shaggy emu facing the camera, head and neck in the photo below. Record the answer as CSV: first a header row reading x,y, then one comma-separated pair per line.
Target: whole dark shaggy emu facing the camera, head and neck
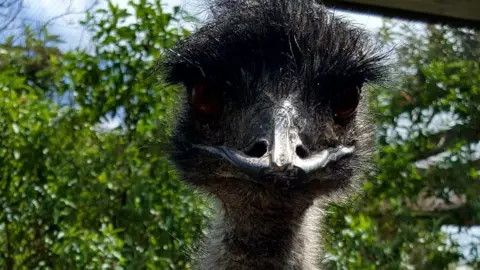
x,y
273,123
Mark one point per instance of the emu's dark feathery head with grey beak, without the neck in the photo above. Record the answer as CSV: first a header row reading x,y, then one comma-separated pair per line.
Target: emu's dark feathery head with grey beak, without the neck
x,y
274,99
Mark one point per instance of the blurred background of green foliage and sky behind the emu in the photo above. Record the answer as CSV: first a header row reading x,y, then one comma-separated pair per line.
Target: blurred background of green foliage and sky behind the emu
x,y
84,183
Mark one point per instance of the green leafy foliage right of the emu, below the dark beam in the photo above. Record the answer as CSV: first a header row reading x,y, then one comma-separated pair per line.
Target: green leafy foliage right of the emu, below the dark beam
x,y
431,111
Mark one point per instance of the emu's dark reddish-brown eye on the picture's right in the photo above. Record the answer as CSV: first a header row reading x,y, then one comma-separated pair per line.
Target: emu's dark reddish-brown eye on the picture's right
x,y
345,104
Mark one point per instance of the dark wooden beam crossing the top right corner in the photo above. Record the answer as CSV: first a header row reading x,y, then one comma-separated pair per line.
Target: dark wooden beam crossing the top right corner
x,y
454,12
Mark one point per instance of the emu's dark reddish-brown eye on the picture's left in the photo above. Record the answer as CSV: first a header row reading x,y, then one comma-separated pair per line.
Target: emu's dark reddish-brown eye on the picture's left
x,y
206,101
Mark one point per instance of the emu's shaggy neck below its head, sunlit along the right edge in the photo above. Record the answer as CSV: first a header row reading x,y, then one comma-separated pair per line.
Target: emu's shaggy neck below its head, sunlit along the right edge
x,y
259,233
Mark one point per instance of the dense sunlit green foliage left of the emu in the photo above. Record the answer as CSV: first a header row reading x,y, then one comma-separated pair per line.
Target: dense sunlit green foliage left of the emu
x,y
74,195
